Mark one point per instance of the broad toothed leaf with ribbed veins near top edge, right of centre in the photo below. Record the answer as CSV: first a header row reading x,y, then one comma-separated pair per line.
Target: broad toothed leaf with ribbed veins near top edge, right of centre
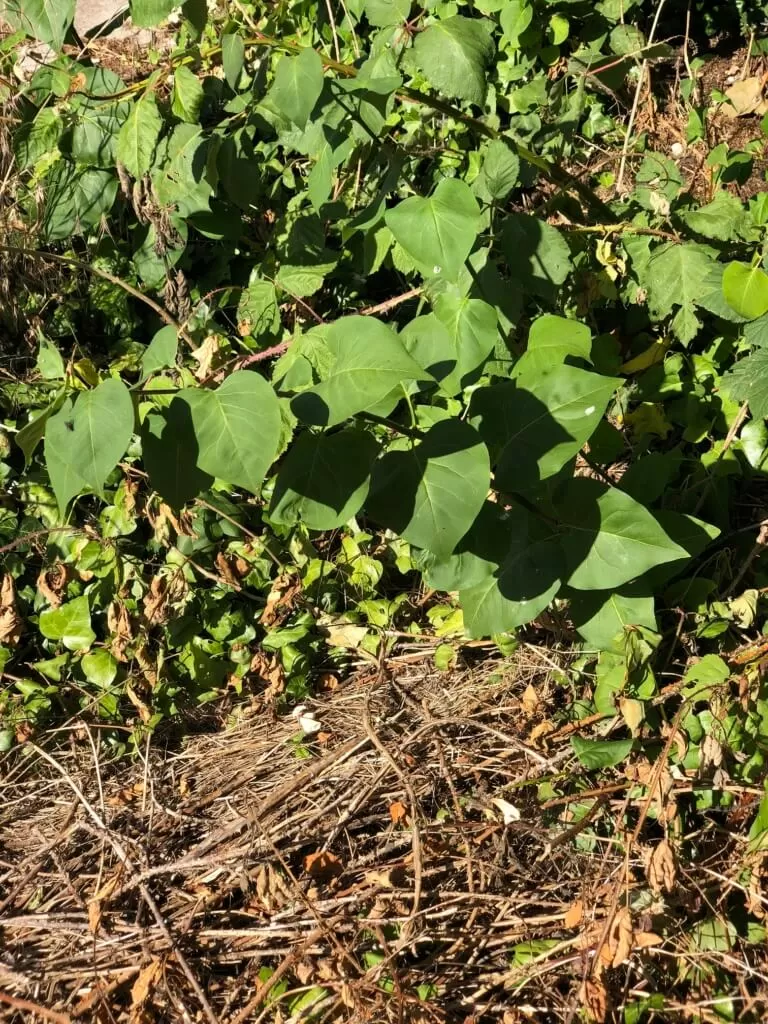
x,y
453,55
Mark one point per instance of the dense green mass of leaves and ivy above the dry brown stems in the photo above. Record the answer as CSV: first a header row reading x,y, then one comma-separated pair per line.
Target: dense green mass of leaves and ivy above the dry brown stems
x,y
325,310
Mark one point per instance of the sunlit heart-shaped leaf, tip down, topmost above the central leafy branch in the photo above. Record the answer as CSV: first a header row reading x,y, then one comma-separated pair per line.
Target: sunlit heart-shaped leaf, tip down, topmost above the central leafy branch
x,y
438,233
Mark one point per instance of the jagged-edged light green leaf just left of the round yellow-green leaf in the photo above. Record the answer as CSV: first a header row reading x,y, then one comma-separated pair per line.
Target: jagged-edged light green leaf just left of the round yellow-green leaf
x,y
675,278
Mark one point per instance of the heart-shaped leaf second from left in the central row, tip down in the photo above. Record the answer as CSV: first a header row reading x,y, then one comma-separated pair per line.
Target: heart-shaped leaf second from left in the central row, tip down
x,y
237,429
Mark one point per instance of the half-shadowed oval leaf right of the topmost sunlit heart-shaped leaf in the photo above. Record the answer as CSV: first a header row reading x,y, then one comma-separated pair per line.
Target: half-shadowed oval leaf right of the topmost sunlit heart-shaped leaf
x,y
537,254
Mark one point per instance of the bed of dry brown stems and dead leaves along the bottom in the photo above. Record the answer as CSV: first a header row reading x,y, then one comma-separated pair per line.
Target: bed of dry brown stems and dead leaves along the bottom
x,y
222,882
